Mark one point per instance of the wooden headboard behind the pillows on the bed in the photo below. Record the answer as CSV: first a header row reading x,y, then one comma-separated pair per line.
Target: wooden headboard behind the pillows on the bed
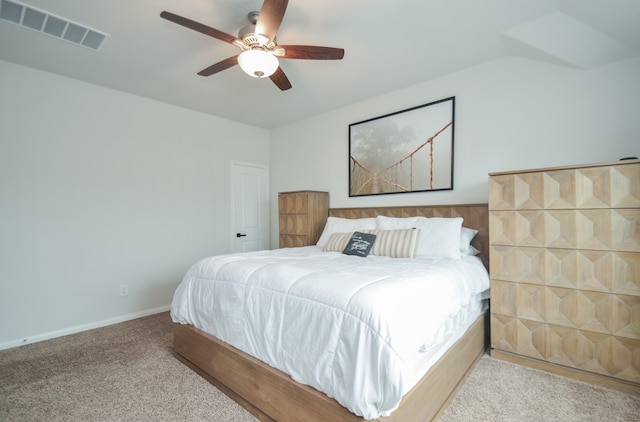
x,y
476,216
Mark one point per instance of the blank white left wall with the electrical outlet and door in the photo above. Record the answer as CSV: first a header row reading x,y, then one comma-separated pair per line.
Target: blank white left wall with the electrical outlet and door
x,y
100,188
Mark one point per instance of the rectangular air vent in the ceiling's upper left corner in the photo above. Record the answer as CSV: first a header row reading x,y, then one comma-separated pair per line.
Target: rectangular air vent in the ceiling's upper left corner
x,y
46,23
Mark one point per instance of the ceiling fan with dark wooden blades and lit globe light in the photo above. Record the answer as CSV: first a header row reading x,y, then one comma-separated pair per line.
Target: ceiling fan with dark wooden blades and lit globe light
x,y
257,41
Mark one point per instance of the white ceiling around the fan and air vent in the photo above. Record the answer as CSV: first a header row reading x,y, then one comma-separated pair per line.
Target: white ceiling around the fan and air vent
x,y
388,46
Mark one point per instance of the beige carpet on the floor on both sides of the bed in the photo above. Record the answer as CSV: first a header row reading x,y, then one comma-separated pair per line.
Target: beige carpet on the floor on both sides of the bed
x,y
126,372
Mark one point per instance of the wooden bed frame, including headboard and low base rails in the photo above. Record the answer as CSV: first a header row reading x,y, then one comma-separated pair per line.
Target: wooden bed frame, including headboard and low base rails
x,y
270,395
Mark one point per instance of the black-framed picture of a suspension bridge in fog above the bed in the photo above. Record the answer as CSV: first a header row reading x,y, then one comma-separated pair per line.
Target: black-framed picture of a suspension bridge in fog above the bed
x,y
406,151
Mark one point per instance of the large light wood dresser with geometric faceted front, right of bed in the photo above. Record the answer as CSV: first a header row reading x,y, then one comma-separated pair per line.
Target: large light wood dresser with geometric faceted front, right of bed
x,y
565,270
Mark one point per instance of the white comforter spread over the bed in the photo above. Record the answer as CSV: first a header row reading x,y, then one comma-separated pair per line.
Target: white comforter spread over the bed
x,y
362,330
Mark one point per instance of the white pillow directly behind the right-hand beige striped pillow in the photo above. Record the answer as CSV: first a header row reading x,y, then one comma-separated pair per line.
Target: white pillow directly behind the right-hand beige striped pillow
x,y
439,237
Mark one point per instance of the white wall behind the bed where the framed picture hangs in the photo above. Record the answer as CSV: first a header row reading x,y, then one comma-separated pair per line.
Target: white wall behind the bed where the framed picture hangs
x,y
510,114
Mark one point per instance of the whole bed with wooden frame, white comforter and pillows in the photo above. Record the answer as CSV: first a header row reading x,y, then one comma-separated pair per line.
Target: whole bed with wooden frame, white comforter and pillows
x,y
388,390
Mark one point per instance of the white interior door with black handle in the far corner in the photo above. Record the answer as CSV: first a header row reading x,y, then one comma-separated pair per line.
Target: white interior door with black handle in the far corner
x,y
249,206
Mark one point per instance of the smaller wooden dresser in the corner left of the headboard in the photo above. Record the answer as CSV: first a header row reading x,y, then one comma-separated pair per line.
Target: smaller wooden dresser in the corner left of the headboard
x,y
302,216
